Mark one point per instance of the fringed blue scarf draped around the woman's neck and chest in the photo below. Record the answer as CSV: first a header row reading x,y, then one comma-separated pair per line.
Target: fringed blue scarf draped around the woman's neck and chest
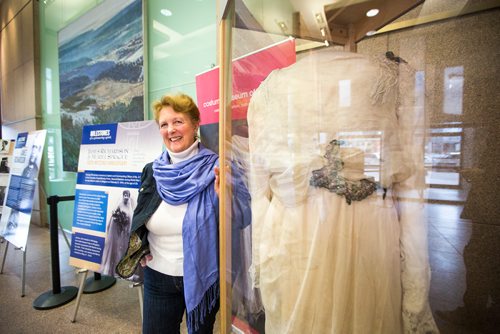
x,y
192,181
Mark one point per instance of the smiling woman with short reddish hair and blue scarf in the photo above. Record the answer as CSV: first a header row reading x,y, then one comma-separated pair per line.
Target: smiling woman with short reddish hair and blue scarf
x,y
177,216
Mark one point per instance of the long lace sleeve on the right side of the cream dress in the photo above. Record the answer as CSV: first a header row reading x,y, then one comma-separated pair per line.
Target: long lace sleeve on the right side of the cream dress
x,y
415,275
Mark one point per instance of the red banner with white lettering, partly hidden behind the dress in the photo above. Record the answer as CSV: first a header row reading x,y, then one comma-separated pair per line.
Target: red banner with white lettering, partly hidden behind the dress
x,y
248,72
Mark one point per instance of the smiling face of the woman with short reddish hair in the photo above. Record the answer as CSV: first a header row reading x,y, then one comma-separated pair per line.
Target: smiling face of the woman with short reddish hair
x,y
177,129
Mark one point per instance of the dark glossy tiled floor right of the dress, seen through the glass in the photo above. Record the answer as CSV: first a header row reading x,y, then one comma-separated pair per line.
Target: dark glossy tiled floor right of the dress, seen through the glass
x,y
457,269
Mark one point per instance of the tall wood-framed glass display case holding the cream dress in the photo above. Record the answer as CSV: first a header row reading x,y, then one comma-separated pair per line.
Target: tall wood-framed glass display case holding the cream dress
x,y
360,178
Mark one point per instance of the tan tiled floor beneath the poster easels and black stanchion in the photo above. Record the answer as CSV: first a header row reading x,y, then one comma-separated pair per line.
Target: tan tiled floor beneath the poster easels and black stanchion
x,y
115,310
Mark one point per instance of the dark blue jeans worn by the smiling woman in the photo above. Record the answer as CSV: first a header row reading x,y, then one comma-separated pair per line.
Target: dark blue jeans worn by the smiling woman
x,y
164,305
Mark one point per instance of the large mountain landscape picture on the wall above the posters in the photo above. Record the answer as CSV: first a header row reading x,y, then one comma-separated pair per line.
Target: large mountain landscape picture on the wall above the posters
x,y
101,72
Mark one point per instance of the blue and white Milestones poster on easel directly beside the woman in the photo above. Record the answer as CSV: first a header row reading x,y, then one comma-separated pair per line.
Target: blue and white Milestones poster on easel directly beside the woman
x,y
111,160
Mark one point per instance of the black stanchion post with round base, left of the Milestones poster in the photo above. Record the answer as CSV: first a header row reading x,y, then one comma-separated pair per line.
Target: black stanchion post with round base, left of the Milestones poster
x,y
58,296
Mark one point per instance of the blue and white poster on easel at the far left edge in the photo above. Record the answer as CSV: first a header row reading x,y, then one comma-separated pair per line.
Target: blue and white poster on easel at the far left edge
x,y
20,190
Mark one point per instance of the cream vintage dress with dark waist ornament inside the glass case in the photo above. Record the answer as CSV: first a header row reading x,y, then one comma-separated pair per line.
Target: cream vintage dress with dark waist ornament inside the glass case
x,y
327,261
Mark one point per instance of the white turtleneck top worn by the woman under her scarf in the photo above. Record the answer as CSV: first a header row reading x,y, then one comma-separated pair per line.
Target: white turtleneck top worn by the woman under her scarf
x,y
165,229
